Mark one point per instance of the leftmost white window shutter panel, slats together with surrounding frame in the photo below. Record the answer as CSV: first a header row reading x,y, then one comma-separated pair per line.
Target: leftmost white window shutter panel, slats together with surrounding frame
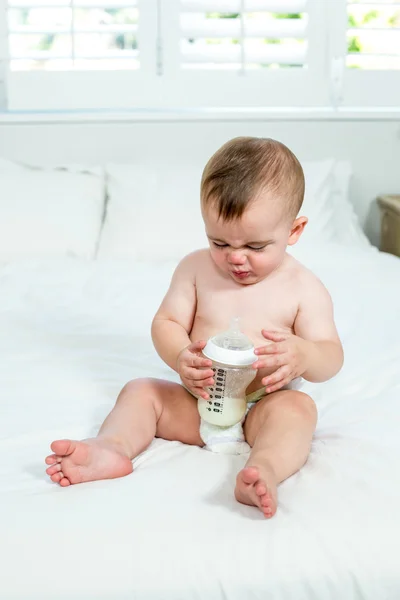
x,y
81,54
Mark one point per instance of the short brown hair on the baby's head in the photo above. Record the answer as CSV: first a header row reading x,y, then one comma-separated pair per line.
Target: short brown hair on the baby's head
x,y
246,166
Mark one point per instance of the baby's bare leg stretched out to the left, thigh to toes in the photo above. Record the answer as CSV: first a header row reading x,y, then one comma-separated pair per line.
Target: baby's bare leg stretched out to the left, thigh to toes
x,y
144,409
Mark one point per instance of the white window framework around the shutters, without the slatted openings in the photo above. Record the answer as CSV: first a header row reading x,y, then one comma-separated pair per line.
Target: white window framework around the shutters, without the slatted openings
x,y
161,83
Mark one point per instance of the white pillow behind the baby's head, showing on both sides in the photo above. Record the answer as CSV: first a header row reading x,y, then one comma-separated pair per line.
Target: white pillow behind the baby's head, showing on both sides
x,y
154,212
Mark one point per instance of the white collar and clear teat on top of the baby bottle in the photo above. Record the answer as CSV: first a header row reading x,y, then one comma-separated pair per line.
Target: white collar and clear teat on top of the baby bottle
x,y
231,347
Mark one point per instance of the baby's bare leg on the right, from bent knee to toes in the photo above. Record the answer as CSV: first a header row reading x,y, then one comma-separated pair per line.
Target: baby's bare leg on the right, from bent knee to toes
x,y
279,429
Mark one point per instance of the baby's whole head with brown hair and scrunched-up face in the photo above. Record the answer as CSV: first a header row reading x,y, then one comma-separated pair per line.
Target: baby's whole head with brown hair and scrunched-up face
x,y
251,192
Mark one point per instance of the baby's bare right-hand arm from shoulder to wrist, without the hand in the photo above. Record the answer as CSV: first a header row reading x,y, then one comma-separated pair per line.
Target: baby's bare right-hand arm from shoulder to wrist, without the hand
x,y
315,325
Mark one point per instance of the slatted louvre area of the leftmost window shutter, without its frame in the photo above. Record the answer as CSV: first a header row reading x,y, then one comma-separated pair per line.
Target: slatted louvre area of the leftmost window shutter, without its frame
x,y
81,34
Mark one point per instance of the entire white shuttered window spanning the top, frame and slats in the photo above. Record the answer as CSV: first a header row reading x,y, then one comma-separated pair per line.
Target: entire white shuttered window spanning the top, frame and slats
x,y
108,54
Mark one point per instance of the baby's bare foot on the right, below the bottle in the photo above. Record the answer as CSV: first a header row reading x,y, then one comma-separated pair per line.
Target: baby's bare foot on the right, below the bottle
x,y
251,488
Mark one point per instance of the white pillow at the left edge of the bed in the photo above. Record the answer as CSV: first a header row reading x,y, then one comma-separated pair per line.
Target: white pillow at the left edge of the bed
x,y
49,212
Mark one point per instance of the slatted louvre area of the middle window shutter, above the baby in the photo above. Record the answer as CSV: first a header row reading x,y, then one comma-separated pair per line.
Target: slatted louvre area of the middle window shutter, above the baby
x,y
234,34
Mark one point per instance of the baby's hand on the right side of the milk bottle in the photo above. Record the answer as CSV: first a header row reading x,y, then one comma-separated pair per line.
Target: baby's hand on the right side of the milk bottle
x,y
287,353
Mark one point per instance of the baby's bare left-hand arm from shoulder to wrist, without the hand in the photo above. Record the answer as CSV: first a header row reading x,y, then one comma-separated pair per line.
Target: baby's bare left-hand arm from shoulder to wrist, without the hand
x,y
174,319
